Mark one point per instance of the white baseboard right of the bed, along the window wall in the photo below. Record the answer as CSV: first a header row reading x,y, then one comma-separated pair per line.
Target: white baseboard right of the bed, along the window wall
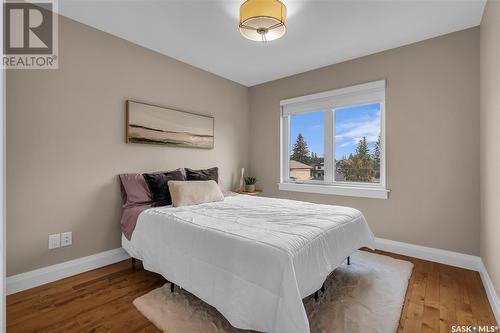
x,y
428,253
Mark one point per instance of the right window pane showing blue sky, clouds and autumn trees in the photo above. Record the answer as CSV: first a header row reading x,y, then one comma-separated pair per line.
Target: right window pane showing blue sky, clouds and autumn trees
x,y
357,143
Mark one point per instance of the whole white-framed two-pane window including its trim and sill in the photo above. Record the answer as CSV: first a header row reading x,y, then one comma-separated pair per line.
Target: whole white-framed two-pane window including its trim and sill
x,y
334,142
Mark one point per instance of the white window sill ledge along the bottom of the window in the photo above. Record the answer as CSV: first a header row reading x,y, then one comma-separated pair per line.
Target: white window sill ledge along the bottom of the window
x,y
351,191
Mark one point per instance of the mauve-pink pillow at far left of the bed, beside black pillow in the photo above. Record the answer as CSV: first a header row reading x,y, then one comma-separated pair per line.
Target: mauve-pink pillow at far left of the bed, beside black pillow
x,y
135,190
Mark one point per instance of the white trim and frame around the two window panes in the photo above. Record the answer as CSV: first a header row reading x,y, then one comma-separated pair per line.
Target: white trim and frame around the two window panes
x,y
372,92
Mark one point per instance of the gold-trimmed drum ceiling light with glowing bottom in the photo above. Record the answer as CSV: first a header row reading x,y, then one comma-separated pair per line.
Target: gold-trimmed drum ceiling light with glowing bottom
x,y
262,20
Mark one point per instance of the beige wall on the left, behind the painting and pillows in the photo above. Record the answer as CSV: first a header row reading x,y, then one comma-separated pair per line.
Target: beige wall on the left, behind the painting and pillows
x,y
65,140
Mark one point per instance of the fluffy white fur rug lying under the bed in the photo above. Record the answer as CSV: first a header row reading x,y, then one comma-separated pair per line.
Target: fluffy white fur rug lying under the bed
x,y
366,296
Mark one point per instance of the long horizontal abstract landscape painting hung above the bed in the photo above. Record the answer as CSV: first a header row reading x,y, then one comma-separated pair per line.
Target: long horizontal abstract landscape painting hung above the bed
x,y
153,124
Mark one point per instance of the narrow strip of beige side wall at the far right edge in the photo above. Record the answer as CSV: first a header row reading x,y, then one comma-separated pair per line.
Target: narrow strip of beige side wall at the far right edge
x,y
490,141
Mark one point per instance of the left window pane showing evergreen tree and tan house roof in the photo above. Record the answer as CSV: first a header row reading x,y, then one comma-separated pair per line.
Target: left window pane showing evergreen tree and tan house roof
x,y
307,141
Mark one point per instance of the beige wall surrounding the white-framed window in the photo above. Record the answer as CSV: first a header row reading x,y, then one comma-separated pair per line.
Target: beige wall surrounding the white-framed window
x,y
432,139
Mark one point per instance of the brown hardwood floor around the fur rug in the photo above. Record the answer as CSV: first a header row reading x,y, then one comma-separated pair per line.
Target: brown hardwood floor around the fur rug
x,y
438,296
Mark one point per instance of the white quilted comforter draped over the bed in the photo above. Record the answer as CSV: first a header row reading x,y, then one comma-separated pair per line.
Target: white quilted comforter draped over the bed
x,y
252,258
